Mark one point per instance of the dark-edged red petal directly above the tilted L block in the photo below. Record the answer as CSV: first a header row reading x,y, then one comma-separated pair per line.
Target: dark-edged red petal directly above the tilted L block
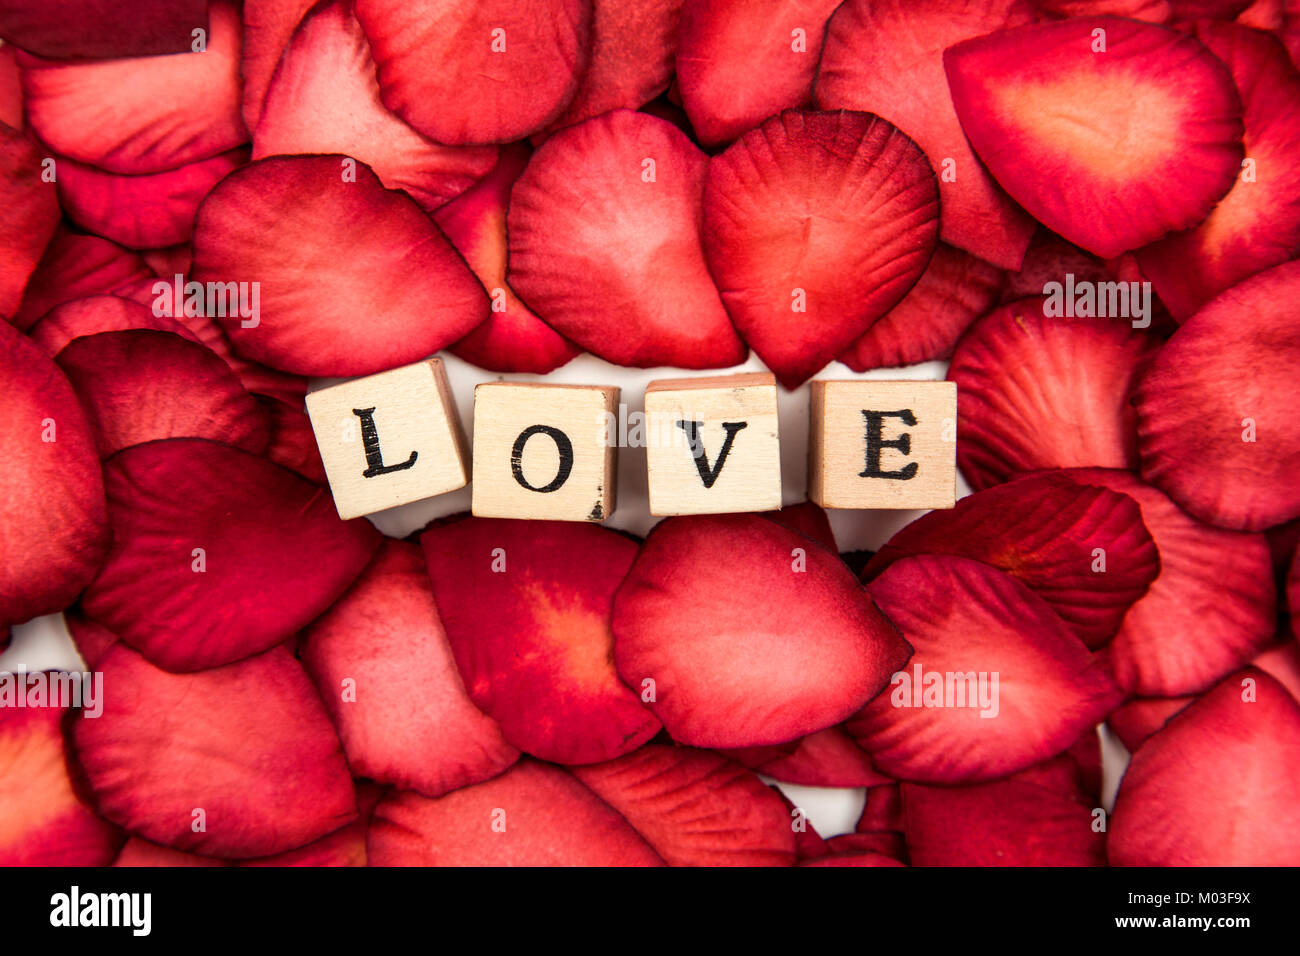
x,y
317,244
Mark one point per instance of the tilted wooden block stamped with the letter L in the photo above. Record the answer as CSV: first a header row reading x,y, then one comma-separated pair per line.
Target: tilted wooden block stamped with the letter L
x,y
389,439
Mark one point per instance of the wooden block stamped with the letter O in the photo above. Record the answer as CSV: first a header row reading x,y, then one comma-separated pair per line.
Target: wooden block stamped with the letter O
x,y
545,452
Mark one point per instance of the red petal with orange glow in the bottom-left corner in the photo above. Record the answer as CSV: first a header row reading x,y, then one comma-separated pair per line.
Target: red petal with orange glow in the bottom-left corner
x,y
44,820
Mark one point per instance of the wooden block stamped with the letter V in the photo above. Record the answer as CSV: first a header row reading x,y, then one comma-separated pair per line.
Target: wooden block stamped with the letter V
x,y
713,447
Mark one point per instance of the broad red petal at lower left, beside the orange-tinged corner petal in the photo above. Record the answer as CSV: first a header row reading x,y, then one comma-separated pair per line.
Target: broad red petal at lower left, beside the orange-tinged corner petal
x,y
249,745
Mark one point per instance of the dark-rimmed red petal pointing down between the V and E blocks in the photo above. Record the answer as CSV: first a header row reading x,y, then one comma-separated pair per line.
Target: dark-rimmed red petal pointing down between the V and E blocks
x,y
816,226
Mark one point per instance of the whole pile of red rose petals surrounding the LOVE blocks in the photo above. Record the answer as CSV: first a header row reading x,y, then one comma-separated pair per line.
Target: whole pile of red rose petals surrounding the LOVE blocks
x,y
656,183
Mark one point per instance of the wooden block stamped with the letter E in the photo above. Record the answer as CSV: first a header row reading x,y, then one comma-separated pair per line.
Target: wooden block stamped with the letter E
x,y
883,444
